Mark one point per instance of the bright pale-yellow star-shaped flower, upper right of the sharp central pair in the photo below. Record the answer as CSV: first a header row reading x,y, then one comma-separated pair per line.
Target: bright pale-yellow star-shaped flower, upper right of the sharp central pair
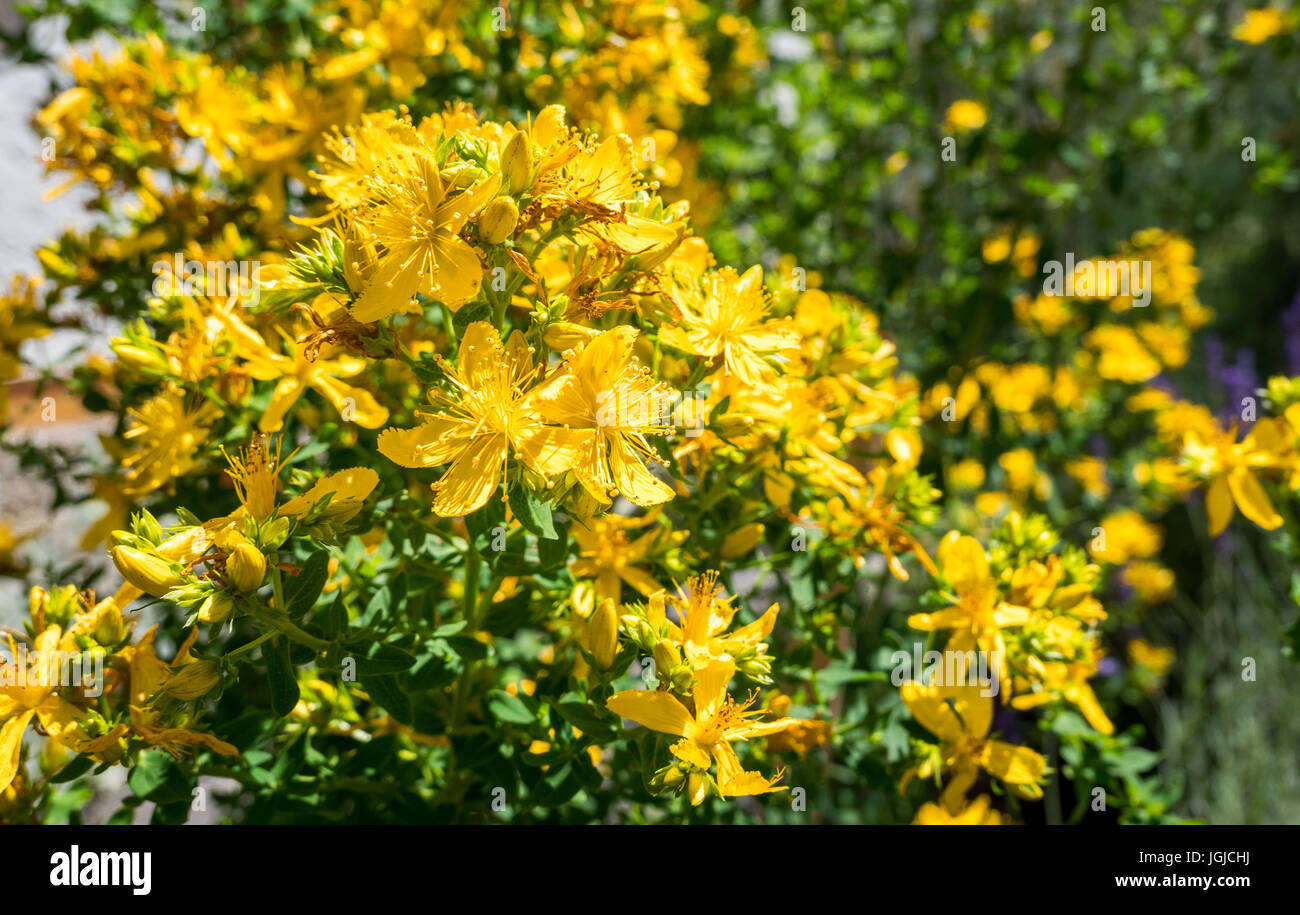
x,y
729,320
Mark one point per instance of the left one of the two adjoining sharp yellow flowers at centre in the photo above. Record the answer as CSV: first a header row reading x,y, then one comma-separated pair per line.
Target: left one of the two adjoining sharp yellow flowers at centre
x,y
479,426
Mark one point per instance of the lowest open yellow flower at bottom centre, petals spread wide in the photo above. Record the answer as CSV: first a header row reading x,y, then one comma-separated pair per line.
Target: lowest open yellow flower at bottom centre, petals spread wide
x,y
708,732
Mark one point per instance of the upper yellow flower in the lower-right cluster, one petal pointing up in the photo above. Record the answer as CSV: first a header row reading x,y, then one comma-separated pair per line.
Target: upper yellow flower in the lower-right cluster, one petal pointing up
x,y
980,614
